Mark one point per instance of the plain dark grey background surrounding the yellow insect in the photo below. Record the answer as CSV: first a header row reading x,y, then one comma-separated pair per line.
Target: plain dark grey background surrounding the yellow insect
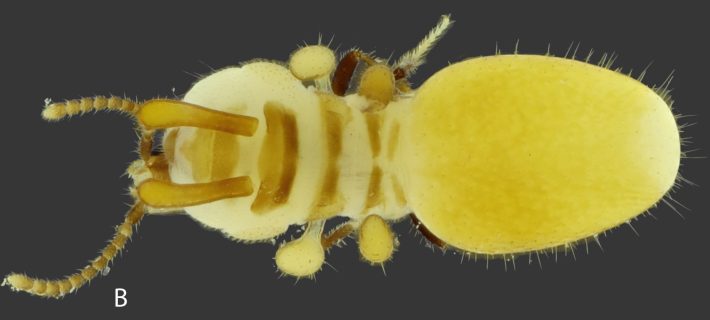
x,y
64,190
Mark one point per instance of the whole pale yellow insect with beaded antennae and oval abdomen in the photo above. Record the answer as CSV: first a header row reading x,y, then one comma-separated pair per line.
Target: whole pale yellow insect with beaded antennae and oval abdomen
x,y
495,155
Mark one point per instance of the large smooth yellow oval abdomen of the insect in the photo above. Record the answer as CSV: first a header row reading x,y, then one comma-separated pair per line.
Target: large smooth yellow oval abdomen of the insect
x,y
514,153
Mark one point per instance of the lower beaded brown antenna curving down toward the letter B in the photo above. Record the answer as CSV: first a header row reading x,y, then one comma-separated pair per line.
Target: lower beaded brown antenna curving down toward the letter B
x,y
59,287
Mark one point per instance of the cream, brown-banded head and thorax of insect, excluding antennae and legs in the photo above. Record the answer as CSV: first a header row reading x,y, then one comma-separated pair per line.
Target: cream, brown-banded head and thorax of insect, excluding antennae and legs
x,y
314,155
